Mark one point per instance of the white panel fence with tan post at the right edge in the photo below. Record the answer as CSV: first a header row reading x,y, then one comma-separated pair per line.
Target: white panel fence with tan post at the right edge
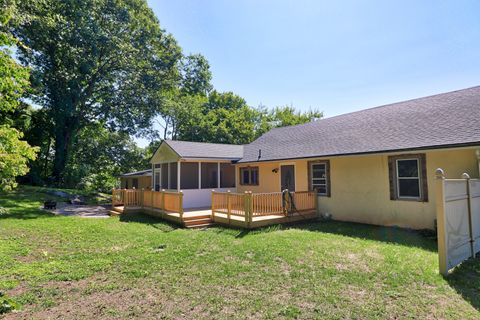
x,y
458,219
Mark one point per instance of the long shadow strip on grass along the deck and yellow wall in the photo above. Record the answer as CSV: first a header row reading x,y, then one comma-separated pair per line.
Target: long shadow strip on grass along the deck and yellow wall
x,y
394,235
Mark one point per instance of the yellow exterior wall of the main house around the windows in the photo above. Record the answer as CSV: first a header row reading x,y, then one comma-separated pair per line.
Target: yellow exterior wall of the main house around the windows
x,y
360,190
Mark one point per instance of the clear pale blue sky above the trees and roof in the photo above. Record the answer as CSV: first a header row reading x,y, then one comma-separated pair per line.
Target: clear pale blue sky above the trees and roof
x,y
336,56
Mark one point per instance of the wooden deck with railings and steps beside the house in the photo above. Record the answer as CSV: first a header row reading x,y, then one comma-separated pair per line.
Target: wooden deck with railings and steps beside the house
x,y
238,210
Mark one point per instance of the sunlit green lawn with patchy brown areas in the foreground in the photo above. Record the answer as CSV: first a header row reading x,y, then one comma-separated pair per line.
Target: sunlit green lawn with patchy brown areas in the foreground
x,y
135,266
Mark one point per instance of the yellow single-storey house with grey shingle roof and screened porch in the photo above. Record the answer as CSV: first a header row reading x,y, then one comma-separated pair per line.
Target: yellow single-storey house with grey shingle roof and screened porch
x,y
373,166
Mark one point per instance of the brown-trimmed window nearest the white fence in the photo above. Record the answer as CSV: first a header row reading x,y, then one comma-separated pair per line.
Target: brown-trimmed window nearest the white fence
x,y
408,177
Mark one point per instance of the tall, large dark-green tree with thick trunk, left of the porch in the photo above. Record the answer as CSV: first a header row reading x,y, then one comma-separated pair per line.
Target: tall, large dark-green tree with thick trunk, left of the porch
x,y
95,60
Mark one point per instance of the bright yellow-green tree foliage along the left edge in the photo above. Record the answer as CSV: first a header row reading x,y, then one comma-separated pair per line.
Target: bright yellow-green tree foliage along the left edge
x,y
14,153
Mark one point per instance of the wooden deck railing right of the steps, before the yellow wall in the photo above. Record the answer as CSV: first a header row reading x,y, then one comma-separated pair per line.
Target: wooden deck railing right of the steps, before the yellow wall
x,y
251,205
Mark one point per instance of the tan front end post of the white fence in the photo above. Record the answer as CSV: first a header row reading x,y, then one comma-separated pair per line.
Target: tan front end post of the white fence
x,y
441,220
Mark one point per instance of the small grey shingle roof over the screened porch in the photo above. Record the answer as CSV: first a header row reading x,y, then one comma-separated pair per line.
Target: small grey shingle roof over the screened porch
x,y
201,150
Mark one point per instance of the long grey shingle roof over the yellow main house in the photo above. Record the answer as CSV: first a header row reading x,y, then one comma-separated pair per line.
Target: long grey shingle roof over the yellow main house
x,y
443,120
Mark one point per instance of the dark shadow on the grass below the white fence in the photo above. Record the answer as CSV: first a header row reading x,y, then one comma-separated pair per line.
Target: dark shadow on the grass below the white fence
x,y
465,279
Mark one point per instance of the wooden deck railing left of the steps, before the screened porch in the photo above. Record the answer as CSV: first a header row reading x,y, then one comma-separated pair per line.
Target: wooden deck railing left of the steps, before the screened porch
x,y
166,201
